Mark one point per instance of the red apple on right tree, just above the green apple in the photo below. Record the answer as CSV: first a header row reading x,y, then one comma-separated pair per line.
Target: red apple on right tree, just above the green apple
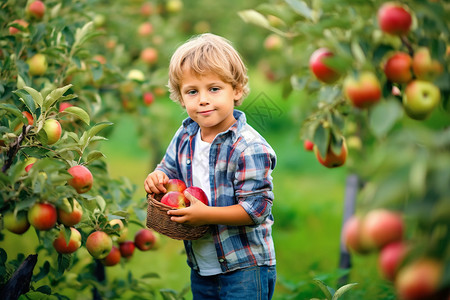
x,y
398,68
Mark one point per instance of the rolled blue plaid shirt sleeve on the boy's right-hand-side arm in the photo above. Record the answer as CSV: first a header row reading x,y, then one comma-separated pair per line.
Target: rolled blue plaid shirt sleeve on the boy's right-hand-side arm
x,y
253,181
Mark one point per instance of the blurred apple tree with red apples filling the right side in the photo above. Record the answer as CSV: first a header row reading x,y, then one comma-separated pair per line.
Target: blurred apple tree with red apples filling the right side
x,y
374,80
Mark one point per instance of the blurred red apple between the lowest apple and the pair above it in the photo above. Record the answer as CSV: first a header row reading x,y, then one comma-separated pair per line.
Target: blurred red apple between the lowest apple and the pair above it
x,y
390,258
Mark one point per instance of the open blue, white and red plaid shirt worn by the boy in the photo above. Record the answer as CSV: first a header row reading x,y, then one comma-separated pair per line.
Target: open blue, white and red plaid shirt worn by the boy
x,y
240,167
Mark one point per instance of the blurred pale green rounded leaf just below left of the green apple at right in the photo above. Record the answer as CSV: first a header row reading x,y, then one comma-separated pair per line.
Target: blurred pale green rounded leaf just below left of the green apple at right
x,y
384,116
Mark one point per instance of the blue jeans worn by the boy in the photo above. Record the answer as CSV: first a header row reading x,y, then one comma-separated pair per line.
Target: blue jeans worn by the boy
x,y
248,283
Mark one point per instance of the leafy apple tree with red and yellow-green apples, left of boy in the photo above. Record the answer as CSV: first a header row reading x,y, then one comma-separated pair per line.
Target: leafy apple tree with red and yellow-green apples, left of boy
x,y
57,103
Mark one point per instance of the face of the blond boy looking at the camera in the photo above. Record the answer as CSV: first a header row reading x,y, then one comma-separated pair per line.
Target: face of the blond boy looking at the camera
x,y
209,101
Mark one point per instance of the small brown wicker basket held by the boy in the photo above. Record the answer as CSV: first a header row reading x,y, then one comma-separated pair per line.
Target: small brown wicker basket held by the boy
x,y
159,220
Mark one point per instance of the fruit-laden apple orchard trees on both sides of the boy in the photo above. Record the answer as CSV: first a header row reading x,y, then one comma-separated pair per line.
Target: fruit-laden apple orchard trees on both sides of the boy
x,y
375,81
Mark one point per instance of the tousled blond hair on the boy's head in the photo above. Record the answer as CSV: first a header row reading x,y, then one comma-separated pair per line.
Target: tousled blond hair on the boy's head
x,y
207,53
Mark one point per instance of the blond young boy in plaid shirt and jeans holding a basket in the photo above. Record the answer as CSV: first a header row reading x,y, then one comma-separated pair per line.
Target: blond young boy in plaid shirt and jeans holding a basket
x,y
216,149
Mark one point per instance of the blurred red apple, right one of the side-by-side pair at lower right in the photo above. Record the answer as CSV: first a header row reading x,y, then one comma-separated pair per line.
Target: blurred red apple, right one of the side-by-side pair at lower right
x,y
381,227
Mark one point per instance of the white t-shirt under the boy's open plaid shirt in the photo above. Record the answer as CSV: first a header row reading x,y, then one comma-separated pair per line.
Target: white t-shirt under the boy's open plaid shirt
x,y
204,248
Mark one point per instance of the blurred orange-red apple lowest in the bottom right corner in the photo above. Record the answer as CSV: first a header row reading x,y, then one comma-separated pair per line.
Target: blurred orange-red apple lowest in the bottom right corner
x,y
419,279
